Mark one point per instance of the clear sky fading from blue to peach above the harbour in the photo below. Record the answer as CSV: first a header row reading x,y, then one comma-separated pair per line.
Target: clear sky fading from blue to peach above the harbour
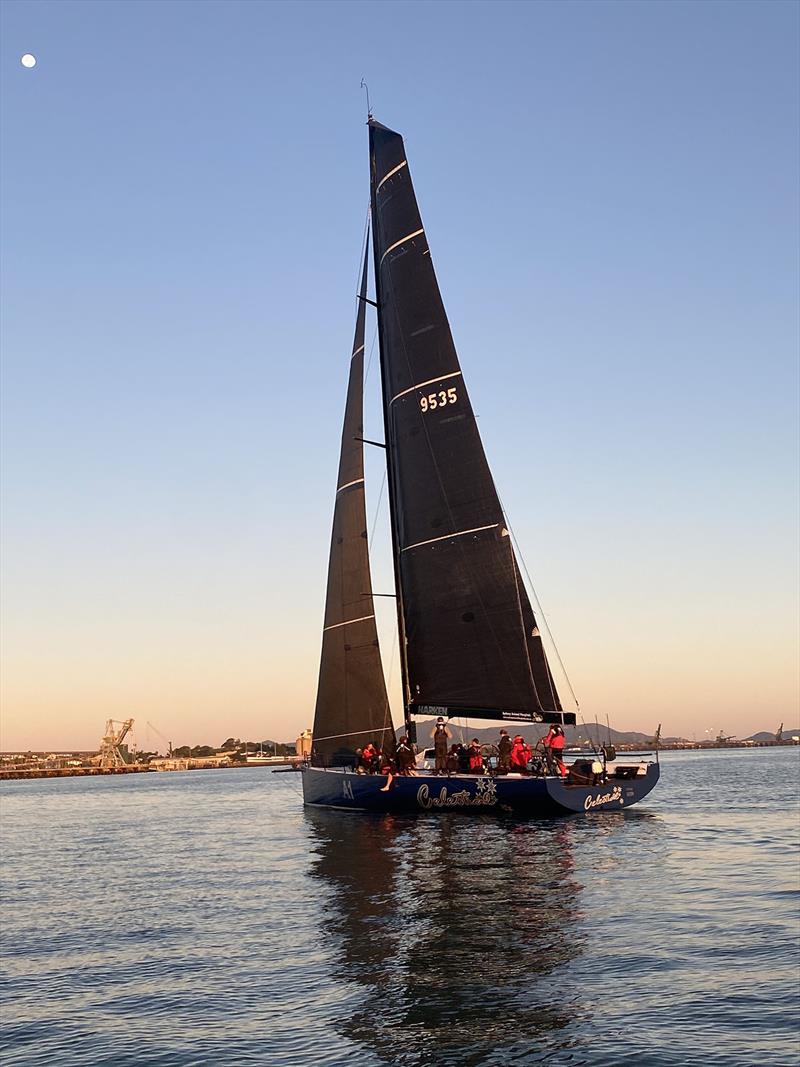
x,y
611,192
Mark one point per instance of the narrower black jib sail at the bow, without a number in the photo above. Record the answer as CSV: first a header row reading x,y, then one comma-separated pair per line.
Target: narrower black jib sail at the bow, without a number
x,y
353,707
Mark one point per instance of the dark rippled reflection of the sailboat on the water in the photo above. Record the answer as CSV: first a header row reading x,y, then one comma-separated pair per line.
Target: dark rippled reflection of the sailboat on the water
x,y
458,935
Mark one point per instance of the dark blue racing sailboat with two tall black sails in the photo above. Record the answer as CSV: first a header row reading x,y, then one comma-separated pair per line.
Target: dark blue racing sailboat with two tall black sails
x,y
469,640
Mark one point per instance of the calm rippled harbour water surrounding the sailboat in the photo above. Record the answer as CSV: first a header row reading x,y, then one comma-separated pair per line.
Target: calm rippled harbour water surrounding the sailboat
x,y
207,918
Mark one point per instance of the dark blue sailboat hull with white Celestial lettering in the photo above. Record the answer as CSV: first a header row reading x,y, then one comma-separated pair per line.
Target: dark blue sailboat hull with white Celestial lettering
x,y
532,798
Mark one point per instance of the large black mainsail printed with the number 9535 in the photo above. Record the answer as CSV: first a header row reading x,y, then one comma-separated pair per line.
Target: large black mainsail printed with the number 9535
x,y
471,641
